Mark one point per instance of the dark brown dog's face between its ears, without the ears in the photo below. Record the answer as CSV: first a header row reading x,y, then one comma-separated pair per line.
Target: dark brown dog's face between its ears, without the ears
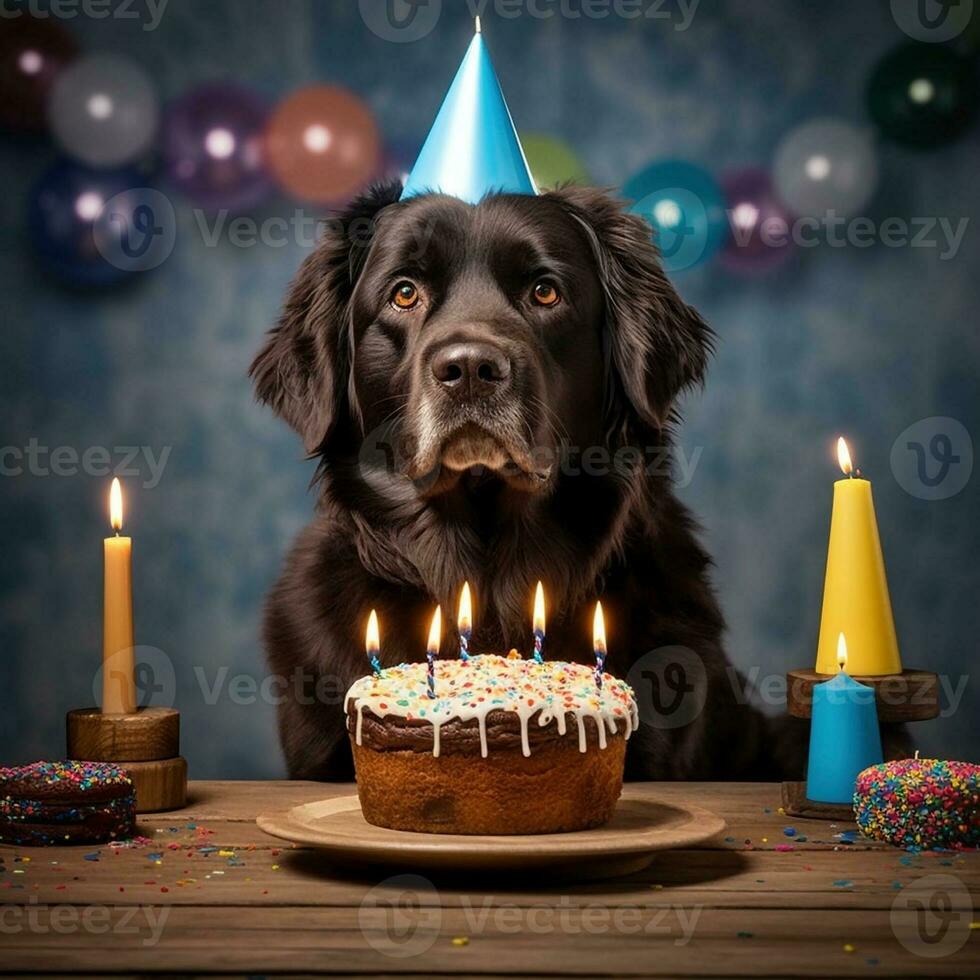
x,y
483,325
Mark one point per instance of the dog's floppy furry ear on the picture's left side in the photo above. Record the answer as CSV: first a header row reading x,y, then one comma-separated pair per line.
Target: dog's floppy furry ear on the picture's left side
x,y
302,372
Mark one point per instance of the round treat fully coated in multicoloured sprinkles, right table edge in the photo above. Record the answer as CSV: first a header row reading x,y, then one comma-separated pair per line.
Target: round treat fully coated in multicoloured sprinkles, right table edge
x,y
920,803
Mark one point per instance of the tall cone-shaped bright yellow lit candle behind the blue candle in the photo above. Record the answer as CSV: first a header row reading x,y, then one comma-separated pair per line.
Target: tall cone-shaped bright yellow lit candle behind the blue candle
x,y
855,593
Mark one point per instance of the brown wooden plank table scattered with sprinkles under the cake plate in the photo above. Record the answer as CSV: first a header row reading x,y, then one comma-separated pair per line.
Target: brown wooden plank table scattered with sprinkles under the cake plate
x,y
209,892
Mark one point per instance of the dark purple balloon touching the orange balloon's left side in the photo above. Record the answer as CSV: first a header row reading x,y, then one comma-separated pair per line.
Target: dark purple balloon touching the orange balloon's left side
x,y
213,147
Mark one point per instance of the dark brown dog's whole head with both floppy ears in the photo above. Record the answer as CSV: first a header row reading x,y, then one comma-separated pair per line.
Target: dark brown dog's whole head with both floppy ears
x,y
486,339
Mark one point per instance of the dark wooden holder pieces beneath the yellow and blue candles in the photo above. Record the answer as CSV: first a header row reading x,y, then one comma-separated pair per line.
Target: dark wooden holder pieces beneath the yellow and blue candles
x,y
912,695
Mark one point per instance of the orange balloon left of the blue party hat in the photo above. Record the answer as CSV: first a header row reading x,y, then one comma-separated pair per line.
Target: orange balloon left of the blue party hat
x,y
323,144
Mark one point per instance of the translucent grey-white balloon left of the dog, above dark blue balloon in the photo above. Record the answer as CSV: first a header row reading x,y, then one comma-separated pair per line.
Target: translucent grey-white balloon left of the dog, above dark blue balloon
x,y
103,111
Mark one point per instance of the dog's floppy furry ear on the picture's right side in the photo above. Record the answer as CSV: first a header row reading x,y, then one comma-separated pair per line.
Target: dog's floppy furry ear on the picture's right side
x,y
658,344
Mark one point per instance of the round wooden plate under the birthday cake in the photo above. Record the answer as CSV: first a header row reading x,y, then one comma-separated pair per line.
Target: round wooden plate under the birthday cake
x,y
639,828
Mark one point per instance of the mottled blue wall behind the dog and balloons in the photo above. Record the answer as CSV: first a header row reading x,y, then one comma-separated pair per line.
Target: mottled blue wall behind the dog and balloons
x,y
860,341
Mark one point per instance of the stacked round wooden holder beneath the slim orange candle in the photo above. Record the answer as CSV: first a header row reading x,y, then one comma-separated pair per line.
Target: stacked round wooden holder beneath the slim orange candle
x,y
145,743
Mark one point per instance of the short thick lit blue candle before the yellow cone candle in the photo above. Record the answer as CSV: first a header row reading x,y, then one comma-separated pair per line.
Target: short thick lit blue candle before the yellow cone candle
x,y
844,735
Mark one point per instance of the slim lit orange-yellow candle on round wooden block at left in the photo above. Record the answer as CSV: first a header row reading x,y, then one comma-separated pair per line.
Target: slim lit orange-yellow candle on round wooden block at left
x,y
118,676
